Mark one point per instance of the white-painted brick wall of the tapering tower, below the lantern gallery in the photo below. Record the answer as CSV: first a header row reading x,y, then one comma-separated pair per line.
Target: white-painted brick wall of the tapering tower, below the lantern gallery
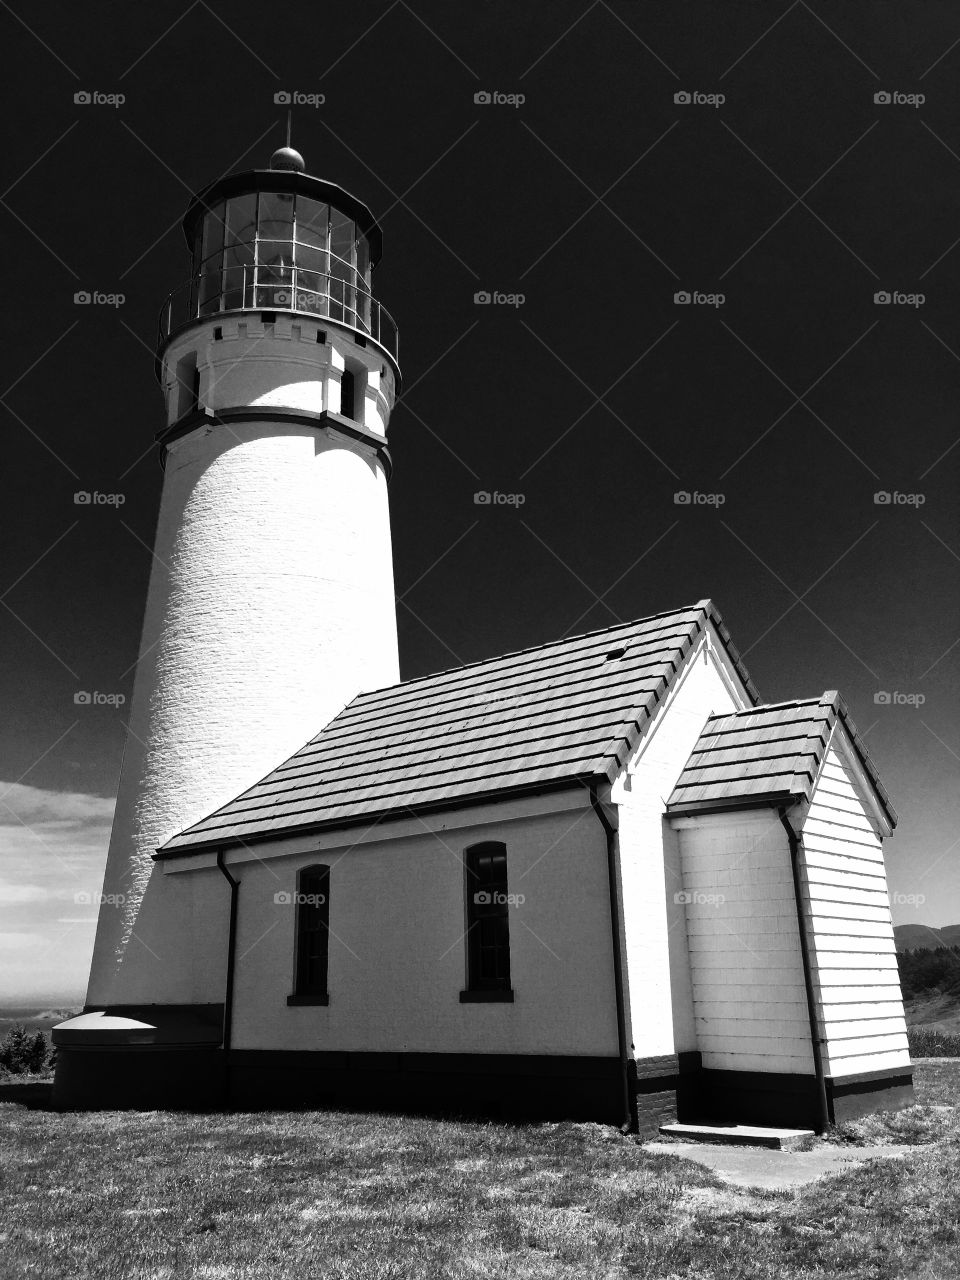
x,y
271,606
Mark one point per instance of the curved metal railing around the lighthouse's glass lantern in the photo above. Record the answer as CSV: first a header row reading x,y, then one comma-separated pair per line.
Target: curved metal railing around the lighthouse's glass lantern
x,y
252,287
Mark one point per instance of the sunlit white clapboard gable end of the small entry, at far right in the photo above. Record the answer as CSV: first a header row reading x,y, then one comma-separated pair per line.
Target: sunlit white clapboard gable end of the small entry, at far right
x,y
851,930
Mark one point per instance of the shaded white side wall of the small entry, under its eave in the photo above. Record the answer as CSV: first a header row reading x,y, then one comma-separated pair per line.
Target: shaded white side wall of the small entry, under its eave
x,y
749,999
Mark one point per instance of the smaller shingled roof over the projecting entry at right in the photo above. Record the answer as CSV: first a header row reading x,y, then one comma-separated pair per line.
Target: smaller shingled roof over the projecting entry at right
x,y
765,756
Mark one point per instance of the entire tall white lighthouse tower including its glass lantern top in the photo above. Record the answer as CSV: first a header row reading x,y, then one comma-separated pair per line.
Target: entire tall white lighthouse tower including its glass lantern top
x,y
271,601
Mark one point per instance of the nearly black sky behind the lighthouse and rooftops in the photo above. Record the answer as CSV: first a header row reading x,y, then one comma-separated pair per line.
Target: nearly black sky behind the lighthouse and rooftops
x,y
598,199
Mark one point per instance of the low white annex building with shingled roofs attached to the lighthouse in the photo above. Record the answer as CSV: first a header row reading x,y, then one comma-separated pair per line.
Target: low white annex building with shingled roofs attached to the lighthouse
x,y
596,880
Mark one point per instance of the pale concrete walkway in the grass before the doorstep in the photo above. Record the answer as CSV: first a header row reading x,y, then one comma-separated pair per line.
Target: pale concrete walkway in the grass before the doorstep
x,y
775,1171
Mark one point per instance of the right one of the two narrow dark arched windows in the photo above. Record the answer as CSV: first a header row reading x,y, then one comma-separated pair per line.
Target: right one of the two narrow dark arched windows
x,y
488,925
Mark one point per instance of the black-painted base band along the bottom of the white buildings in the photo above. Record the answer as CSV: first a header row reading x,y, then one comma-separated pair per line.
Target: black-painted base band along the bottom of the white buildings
x,y
495,1086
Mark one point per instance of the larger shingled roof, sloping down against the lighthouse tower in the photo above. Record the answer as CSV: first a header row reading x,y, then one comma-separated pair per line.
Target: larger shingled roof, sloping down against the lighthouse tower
x,y
561,712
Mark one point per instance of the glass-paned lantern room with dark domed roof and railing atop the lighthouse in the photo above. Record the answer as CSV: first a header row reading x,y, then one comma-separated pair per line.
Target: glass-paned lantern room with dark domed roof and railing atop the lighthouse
x,y
280,240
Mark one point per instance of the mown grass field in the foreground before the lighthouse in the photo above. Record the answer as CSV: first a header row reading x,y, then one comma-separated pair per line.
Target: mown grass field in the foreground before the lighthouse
x,y
367,1197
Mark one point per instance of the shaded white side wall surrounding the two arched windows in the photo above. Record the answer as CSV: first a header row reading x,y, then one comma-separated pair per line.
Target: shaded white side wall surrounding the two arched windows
x,y
397,959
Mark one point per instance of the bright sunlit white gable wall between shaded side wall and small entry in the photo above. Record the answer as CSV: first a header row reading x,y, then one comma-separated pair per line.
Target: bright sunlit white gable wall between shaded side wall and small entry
x,y
657,961
